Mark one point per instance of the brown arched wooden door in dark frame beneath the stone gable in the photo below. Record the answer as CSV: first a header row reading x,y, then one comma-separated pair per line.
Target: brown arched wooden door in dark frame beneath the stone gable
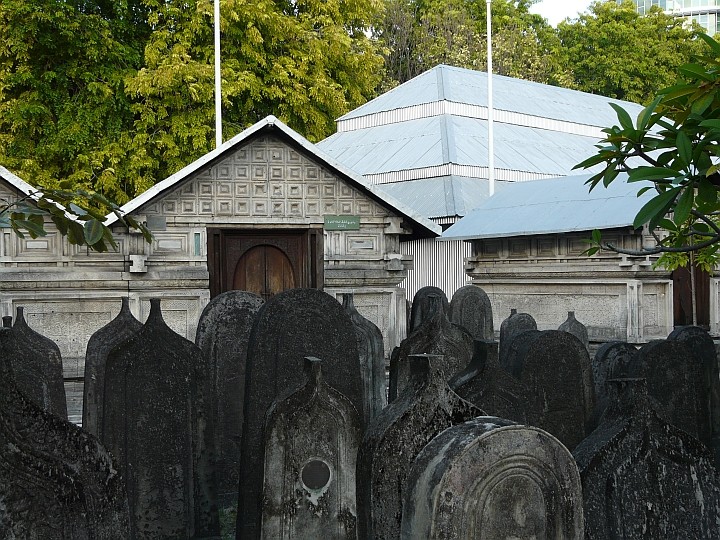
x,y
264,262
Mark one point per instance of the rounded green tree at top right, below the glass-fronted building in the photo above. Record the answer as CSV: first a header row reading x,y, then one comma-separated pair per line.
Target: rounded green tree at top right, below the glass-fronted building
x,y
618,53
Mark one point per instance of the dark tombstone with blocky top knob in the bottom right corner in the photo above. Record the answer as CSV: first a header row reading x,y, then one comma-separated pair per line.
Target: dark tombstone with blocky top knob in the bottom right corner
x,y
644,478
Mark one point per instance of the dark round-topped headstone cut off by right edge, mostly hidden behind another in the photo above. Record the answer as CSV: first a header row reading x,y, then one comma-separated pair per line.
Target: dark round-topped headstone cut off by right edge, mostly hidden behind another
x,y
703,349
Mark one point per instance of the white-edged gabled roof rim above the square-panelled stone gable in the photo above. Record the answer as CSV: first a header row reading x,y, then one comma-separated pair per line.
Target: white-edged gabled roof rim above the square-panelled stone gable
x,y
273,126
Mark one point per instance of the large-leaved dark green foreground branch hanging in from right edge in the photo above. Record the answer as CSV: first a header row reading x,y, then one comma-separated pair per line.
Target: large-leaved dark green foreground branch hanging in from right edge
x,y
674,144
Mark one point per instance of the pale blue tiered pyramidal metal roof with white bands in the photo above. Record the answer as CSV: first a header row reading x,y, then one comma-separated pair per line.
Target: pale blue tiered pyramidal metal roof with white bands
x,y
435,128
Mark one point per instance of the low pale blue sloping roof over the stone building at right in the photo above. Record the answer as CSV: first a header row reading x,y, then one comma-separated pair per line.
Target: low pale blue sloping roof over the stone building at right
x,y
556,205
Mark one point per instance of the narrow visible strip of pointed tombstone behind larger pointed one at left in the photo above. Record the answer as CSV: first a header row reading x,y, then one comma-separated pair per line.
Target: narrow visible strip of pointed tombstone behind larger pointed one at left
x,y
117,331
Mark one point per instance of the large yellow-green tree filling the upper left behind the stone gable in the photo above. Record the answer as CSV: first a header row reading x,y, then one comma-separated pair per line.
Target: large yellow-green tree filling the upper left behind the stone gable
x,y
115,96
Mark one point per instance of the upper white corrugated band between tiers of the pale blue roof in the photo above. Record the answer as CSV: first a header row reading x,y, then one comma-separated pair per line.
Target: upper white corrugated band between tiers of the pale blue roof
x,y
428,110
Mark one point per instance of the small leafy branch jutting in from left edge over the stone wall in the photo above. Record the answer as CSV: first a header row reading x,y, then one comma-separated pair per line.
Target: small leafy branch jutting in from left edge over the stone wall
x,y
77,214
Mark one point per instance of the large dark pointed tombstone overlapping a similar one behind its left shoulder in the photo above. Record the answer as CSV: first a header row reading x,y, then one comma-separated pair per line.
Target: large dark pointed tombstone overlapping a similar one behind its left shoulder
x,y
153,421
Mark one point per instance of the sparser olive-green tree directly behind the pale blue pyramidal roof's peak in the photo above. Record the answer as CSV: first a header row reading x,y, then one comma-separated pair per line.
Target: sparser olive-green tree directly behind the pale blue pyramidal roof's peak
x,y
419,34
